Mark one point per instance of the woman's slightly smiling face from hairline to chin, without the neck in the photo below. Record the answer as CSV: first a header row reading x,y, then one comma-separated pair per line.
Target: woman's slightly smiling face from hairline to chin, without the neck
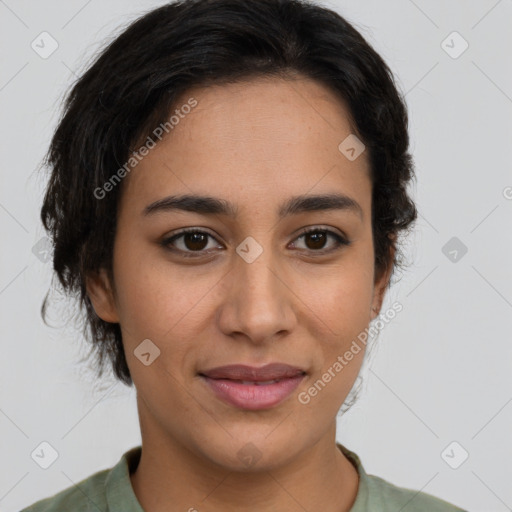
x,y
249,287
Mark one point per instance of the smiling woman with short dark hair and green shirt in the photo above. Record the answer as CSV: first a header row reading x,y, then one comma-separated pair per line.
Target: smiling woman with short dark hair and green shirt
x,y
228,187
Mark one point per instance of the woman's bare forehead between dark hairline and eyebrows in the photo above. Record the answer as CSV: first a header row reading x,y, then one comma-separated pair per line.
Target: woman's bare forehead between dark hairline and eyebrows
x,y
258,139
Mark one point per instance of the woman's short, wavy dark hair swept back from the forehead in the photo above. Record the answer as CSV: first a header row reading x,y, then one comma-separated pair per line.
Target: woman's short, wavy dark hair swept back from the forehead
x,y
133,84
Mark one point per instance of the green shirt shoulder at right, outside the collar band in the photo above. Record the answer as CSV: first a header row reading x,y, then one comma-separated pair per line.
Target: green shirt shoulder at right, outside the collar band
x,y
381,492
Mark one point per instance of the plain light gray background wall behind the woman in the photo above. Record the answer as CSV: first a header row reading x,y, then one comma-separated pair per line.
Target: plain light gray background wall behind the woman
x,y
441,371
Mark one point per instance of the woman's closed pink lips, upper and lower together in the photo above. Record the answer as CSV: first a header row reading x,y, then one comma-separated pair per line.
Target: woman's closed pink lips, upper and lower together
x,y
227,382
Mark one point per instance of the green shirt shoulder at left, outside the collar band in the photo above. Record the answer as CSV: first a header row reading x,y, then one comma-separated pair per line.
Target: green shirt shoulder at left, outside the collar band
x,y
86,495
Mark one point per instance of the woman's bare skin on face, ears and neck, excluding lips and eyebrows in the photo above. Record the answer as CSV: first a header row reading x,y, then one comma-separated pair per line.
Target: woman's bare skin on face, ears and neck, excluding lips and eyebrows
x,y
256,144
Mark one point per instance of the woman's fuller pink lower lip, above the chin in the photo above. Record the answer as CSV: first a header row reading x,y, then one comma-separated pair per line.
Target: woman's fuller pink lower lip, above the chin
x,y
253,397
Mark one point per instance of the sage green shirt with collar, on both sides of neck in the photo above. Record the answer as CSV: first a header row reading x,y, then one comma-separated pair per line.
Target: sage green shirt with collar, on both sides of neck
x,y
110,490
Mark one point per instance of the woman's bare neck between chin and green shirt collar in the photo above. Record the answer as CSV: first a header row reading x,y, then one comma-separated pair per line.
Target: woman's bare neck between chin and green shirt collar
x,y
320,477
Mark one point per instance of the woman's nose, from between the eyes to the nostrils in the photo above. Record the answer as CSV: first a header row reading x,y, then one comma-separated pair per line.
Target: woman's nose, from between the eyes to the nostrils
x,y
258,302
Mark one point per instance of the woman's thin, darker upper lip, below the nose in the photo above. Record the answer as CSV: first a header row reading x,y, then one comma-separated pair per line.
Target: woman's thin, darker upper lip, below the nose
x,y
243,372
